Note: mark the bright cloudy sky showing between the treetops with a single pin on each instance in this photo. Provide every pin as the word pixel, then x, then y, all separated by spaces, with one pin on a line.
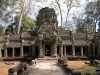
pixel 77 10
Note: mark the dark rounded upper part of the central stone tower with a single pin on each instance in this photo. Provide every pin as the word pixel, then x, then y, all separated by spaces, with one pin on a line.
pixel 46 15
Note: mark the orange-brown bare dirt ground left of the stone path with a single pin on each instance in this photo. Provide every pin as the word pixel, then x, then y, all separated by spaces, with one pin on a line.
pixel 4 66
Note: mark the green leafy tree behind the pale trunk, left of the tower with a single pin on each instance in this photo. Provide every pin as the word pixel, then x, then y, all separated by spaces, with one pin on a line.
pixel 27 25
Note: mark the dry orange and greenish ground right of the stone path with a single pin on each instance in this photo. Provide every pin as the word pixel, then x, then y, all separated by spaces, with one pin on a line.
pixel 81 66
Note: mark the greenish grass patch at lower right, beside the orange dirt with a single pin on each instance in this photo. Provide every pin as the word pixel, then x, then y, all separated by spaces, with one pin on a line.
pixel 88 69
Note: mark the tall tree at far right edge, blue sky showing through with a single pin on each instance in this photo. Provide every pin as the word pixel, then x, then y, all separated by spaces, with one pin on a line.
pixel 93 12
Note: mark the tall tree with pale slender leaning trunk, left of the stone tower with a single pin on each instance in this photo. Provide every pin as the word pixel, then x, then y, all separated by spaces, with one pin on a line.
pixel 25 6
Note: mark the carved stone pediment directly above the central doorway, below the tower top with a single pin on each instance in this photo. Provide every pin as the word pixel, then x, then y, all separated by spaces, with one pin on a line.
pixel 47 32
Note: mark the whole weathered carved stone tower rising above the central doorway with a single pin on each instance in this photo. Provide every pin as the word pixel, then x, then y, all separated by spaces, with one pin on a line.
pixel 47 25
